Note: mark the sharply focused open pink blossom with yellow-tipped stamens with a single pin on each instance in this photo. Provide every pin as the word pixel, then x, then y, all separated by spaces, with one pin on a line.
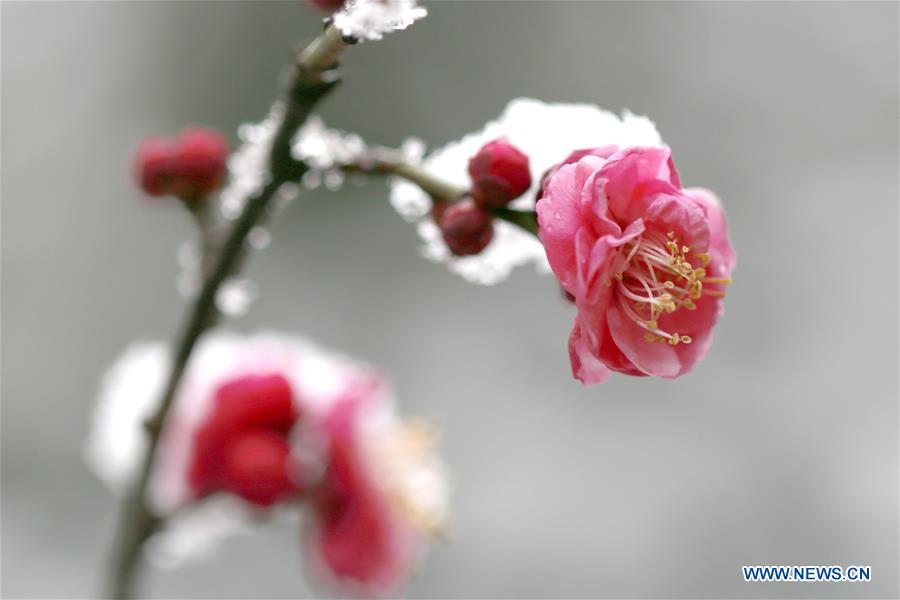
pixel 646 261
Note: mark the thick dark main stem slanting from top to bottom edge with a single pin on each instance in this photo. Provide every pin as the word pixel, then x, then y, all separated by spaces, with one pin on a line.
pixel 313 77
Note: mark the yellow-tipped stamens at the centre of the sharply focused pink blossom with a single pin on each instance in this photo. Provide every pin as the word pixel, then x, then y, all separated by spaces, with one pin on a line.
pixel 659 278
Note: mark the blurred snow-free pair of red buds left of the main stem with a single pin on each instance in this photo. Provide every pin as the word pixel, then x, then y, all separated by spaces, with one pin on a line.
pixel 189 167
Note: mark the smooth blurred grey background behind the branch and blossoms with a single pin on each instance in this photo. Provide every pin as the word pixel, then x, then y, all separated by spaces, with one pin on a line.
pixel 781 448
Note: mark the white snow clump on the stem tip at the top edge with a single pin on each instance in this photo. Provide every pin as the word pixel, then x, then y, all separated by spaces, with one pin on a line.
pixel 371 19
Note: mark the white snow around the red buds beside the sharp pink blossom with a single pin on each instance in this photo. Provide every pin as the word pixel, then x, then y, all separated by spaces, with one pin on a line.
pixel 547 133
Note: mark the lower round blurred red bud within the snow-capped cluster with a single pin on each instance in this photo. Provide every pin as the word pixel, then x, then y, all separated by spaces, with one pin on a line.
pixel 255 467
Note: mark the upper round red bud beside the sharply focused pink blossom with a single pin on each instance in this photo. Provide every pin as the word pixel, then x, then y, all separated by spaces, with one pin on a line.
pixel 499 174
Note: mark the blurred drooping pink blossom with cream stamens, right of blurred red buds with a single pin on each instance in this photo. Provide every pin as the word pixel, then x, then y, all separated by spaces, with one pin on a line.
pixel 376 498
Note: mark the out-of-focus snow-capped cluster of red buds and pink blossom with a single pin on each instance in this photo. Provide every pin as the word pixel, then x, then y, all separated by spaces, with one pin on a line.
pixel 274 425
